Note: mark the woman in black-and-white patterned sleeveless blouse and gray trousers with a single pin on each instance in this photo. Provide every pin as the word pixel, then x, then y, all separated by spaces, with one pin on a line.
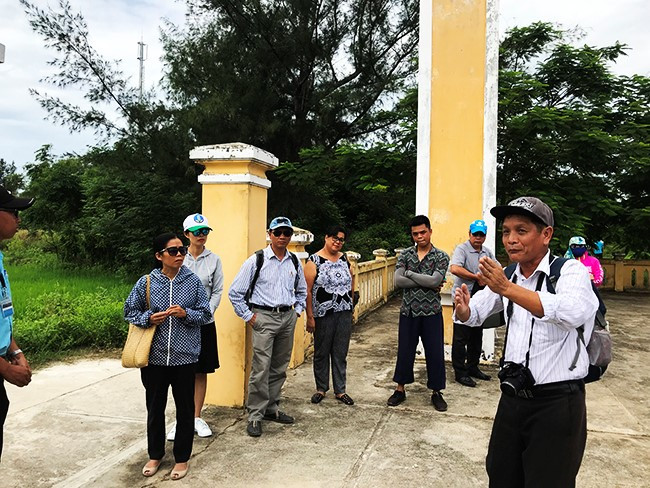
pixel 329 313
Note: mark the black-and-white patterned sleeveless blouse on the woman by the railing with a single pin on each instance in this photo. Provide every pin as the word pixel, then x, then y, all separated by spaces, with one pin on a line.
pixel 331 292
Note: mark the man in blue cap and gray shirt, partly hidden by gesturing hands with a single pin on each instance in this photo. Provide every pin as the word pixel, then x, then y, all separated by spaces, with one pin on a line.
pixel 467 342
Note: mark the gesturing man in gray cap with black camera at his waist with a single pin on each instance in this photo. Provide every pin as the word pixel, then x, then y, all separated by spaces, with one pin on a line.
pixel 540 428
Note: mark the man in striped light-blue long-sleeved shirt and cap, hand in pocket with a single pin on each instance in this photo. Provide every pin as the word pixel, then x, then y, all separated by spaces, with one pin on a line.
pixel 277 300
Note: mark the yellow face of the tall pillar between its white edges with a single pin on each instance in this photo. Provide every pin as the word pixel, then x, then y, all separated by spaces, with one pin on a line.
pixel 457 108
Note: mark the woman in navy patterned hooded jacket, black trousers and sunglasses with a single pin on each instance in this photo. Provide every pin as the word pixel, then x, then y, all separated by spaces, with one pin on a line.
pixel 178 307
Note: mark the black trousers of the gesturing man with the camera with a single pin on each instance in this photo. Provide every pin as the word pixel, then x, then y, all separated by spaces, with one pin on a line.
pixel 538 442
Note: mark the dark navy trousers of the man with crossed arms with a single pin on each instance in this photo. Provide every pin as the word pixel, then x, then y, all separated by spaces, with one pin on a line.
pixel 430 329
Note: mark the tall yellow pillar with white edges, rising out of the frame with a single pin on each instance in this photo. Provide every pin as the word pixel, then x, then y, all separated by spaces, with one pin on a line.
pixel 457 124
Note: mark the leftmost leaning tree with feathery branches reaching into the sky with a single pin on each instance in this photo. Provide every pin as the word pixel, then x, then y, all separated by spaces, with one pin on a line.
pixel 109 203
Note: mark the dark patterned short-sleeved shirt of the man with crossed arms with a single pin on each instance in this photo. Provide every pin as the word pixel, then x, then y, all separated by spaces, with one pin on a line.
pixel 420 301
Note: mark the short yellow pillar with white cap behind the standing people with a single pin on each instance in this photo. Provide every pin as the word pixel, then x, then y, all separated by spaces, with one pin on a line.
pixel 234 188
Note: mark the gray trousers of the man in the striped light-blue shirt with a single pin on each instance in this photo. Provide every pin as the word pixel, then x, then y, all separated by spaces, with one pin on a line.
pixel 272 345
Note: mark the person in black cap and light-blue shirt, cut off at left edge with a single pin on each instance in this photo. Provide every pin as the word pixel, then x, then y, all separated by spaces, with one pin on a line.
pixel 14 367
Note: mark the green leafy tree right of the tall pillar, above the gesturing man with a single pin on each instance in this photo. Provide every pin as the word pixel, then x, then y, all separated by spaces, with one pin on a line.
pixel 575 134
